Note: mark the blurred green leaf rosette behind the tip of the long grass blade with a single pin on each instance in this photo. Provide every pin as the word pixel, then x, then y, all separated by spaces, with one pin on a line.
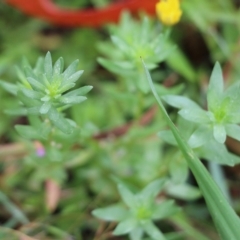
pixel 131 39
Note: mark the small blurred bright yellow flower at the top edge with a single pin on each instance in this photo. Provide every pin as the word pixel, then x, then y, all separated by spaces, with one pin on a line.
pixel 169 11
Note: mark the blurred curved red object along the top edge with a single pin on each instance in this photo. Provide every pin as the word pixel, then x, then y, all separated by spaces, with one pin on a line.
pixel 47 10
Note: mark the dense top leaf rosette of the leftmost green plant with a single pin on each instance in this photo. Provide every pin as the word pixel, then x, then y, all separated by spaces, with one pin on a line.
pixel 48 87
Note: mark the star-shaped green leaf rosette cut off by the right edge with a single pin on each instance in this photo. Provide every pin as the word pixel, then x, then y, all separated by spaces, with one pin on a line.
pixel 222 116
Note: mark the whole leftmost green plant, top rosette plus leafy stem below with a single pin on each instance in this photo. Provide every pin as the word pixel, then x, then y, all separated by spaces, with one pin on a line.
pixel 44 93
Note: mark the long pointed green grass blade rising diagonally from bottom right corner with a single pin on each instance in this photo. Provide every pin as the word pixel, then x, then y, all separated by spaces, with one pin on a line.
pixel 225 219
